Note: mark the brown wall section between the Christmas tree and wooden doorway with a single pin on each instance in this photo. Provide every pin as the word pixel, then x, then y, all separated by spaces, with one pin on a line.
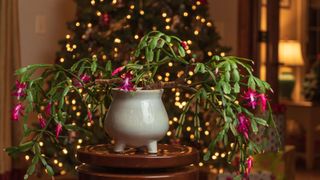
pixel 225 17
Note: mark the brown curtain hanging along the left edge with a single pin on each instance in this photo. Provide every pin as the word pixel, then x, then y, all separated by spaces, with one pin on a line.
pixel 9 61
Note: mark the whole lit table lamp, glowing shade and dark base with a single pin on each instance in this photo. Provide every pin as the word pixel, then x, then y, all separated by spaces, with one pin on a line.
pixel 290 56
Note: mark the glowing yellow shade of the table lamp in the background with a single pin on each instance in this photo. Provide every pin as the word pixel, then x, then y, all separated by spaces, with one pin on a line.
pixel 290 53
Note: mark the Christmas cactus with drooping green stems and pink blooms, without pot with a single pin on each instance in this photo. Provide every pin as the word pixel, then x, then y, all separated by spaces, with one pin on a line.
pixel 224 86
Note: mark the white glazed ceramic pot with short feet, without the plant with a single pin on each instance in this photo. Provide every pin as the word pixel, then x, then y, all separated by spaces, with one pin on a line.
pixel 137 118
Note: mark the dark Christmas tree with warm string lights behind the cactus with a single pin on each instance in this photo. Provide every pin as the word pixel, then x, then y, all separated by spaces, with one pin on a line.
pixel 107 31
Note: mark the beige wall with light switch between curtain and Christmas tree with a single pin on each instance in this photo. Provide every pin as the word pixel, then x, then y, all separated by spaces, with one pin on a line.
pixel 42 25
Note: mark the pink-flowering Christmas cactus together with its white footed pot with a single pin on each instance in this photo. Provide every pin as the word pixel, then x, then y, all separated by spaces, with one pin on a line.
pixel 224 85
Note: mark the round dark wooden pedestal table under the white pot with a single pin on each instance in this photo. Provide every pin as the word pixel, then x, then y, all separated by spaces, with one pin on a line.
pixel 172 162
